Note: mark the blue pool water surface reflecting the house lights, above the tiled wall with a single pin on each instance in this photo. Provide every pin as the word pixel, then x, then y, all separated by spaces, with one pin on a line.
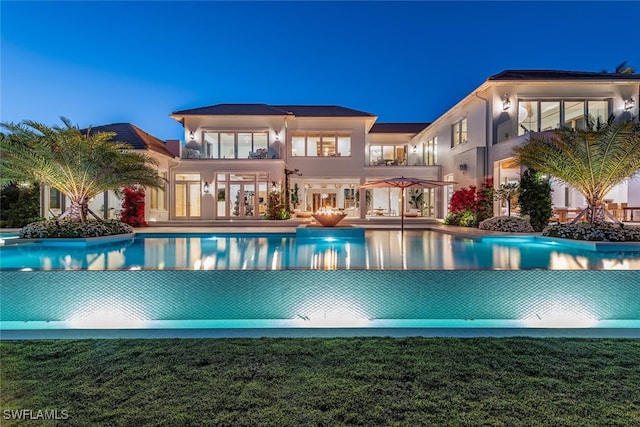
pixel 380 250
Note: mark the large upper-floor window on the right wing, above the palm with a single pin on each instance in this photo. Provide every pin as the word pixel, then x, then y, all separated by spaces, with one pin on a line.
pixel 537 115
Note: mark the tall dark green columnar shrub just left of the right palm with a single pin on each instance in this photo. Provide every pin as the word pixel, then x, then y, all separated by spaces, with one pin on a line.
pixel 534 199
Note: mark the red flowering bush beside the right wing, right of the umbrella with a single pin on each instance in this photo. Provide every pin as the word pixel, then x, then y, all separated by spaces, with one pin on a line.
pixel 470 206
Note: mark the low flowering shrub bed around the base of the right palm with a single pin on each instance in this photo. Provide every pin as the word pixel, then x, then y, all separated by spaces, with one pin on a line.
pixel 605 232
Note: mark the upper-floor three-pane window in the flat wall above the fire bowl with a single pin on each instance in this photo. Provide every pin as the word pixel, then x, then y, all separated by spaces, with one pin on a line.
pixel 320 144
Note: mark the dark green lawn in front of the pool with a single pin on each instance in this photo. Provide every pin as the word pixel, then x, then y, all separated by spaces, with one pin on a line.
pixel 332 382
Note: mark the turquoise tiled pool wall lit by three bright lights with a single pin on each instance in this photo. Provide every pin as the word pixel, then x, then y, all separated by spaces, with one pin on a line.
pixel 314 298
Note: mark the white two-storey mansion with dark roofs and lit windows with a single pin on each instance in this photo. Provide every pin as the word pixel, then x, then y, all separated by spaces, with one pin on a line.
pixel 234 155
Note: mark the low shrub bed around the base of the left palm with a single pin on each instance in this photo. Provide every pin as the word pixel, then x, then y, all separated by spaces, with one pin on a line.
pixel 72 229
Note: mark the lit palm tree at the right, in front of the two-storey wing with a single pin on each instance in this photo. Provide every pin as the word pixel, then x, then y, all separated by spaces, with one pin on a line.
pixel 592 161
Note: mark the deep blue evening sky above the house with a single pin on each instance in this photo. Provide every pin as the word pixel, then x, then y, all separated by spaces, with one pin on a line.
pixel 105 62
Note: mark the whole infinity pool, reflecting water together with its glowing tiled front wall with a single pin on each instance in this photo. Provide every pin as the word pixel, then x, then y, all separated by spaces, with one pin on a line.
pixel 330 292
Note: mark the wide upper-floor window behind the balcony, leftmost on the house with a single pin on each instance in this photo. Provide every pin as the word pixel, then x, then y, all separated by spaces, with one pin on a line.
pixel 235 145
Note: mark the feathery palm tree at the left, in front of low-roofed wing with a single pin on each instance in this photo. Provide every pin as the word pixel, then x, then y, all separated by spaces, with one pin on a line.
pixel 78 164
